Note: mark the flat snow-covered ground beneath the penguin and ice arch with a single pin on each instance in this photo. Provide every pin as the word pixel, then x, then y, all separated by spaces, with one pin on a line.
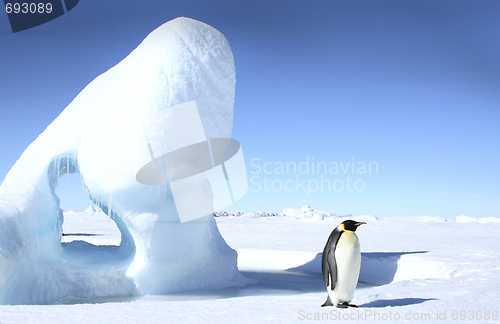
pixel 419 269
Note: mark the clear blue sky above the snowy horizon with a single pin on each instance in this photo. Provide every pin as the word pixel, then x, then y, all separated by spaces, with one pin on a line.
pixel 412 86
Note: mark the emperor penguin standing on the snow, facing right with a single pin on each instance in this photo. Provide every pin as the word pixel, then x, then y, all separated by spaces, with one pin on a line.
pixel 341 263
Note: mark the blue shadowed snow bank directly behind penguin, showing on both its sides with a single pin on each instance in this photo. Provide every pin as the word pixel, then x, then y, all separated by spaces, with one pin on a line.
pixel 377 268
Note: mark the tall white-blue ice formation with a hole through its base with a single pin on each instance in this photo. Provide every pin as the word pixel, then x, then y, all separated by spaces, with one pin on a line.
pixel 100 135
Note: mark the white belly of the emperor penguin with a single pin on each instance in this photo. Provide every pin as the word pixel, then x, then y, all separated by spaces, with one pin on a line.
pixel 348 259
